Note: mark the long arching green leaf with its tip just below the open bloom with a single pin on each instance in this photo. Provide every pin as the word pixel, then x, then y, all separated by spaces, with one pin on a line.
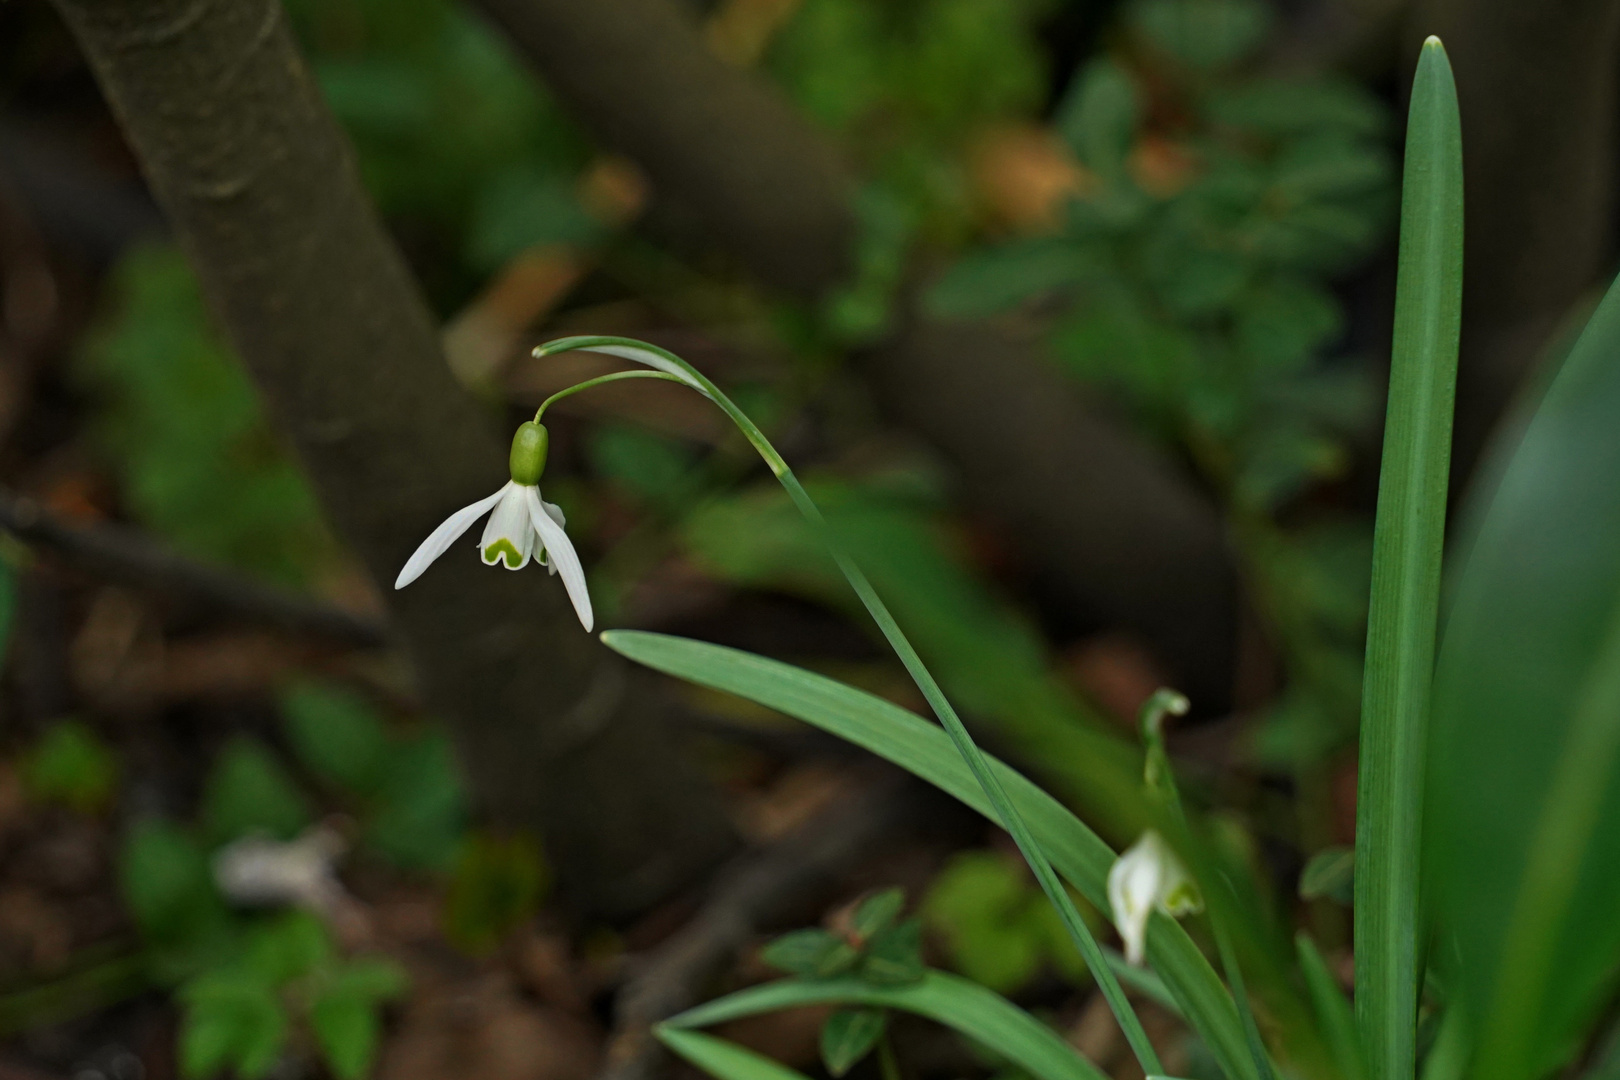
pixel 927 752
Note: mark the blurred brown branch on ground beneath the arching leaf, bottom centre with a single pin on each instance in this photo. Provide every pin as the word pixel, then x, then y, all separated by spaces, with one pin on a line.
pixel 759 890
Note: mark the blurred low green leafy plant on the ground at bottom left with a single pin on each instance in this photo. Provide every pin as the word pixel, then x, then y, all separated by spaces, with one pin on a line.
pixel 254 985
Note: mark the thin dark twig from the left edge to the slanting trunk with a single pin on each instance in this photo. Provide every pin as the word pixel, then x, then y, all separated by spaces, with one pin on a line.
pixel 130 558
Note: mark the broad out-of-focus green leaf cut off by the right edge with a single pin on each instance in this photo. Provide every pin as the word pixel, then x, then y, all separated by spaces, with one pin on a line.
pixel 1524 843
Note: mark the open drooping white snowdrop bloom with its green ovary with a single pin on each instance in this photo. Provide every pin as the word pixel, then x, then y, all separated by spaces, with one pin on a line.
pixel 521 527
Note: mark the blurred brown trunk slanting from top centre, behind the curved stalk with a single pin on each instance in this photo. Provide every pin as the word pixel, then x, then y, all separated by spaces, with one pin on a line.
pixel 1109 524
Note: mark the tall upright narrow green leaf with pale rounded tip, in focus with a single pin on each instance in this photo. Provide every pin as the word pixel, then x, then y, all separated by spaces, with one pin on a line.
pixel 1407 572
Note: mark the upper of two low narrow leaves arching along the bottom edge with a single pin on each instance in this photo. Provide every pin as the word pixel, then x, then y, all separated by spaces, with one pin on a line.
pixel 957 1003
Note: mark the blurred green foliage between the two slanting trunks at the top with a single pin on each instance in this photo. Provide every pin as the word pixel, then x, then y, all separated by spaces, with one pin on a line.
pixel 451 134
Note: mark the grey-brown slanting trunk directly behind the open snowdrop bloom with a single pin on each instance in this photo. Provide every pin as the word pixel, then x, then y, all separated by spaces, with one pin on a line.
pixel 262 189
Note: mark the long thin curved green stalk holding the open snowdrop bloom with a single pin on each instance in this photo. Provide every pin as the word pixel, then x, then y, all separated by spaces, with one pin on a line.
pixel 670 367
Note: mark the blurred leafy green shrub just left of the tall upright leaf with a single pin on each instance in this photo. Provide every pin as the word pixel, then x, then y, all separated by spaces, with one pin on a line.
pixel 1193 276
